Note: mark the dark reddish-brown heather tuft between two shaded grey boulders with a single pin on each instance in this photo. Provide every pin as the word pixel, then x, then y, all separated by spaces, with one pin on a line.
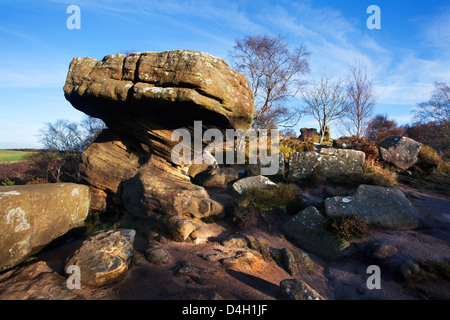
pixel 346 227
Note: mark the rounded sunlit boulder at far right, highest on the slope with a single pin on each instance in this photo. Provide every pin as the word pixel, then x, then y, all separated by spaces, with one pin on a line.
pixel 400 151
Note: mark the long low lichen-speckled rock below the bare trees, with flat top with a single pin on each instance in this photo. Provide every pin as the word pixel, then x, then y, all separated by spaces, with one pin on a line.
pixel 330 161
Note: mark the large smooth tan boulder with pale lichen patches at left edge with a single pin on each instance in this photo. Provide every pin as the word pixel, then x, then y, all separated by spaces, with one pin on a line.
pixel 32 216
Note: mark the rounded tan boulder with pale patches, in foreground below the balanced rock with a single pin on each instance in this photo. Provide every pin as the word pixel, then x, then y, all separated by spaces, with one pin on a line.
pixel 104 257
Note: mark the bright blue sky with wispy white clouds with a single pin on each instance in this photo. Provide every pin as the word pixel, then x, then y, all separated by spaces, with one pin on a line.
pixel 405 57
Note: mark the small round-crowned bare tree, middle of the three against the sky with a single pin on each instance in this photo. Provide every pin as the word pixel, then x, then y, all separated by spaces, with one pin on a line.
pixel 327 101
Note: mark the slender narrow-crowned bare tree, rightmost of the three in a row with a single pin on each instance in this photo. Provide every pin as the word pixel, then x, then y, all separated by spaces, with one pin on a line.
pixel 362 98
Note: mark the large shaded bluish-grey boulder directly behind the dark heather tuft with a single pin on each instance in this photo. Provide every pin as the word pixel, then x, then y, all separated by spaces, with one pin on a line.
pixel 386 208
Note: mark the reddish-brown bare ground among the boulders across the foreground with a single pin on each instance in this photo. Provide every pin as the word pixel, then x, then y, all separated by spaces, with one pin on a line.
pixel 342 279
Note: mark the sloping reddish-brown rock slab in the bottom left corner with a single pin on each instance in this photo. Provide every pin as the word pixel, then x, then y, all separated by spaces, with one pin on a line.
pixel 34 281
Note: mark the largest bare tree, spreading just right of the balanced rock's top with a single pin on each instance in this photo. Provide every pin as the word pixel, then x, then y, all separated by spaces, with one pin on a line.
pixel 273 70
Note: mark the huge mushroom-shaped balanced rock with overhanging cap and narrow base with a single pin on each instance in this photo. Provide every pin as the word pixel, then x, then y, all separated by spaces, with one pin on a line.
pixel 143 98
